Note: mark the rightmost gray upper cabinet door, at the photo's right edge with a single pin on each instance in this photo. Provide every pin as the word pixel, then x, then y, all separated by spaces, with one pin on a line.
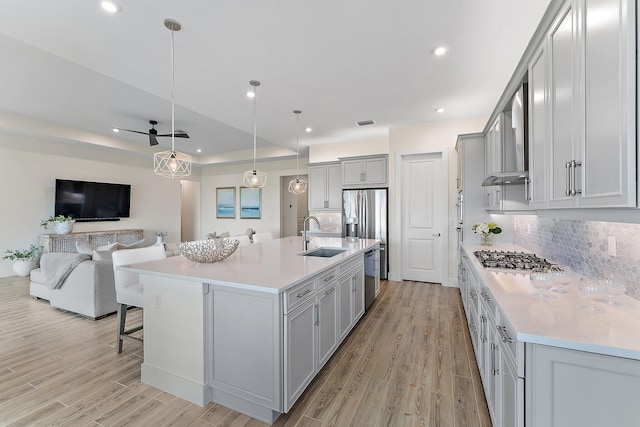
pixel 608 146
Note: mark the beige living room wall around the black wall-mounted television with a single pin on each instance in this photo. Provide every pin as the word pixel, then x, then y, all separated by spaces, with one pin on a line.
pixel 27 186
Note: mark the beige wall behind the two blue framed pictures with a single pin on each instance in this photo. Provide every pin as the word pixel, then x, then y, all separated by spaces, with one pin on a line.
pixel 231 176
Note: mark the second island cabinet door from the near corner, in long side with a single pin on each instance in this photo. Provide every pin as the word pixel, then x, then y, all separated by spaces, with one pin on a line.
pixel 327 323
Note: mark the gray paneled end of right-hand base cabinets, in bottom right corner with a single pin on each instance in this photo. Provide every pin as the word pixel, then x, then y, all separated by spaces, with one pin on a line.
pixel 576 388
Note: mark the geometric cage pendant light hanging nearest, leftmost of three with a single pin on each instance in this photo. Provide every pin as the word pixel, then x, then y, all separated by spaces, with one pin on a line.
pixel 172 164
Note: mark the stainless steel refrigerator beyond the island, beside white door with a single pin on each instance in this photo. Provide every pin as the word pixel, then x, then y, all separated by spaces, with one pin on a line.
pixel 366 213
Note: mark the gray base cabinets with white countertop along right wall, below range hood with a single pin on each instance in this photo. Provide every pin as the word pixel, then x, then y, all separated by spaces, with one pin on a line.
pixel 553 361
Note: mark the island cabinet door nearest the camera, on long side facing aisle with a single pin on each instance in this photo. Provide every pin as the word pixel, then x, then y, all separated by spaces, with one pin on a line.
pixel 300 355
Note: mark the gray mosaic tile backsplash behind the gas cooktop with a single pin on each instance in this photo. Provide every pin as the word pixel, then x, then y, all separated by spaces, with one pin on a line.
pixel 583 245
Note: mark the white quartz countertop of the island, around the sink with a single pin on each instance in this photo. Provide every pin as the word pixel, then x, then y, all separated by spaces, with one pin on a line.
pixel 270 266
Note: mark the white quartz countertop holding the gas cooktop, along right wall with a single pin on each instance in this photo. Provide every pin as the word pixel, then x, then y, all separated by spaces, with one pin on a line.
pixel 561 321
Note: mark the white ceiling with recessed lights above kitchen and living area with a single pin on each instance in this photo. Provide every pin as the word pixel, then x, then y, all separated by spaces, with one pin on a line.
pixel 73 71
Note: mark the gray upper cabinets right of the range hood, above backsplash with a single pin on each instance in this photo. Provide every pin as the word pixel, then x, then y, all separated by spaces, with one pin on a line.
pixel 582 108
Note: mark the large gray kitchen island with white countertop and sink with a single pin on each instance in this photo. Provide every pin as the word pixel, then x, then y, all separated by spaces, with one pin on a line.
pixel 252 331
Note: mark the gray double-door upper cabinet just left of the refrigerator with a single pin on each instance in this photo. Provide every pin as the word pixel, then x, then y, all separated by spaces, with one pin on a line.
pixel 325 187
